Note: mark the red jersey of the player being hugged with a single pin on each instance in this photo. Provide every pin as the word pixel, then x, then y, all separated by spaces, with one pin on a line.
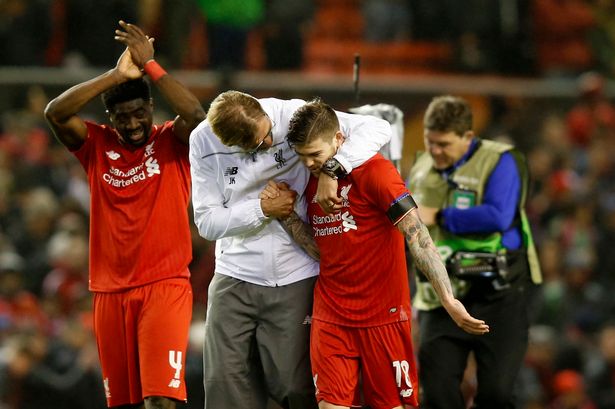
pixel 363 278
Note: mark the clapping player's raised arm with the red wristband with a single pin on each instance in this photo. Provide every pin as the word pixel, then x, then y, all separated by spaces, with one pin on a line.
pixel 184 103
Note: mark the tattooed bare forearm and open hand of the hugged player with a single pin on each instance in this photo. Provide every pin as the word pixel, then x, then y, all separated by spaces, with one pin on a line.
pixel 427 259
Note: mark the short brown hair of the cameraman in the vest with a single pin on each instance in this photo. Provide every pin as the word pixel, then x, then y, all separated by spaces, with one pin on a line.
pixel 447 113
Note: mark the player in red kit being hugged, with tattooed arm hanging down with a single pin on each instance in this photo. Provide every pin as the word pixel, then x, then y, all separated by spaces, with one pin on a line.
pixel 361 319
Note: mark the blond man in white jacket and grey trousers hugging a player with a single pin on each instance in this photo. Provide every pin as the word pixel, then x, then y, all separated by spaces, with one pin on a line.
pixel 260 299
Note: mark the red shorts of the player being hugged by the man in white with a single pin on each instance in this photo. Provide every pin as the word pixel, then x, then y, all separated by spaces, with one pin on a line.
pixel 381 355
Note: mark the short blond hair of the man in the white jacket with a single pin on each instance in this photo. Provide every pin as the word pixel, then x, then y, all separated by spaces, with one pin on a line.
pixel 234 116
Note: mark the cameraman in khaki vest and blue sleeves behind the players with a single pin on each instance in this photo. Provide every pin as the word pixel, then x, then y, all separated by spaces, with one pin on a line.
pixel 471 194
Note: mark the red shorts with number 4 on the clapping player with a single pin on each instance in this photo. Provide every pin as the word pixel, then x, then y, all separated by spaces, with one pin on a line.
pixel 142 336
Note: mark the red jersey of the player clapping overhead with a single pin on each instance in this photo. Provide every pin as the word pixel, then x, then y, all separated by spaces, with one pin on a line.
pixel 139 228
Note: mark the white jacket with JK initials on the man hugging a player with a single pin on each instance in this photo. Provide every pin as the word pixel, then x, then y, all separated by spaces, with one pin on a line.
pixel 226 182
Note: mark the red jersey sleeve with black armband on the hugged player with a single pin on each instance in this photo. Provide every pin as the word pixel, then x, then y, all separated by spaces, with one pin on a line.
pixel 387 190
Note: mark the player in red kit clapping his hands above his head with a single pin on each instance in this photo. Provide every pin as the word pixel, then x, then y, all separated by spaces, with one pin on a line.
pixel 140 243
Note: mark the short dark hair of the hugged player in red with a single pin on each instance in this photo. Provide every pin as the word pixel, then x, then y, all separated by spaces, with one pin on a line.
pixel 312 120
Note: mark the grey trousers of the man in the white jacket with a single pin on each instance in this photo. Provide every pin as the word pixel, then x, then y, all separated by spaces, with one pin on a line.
pixel 257 345
